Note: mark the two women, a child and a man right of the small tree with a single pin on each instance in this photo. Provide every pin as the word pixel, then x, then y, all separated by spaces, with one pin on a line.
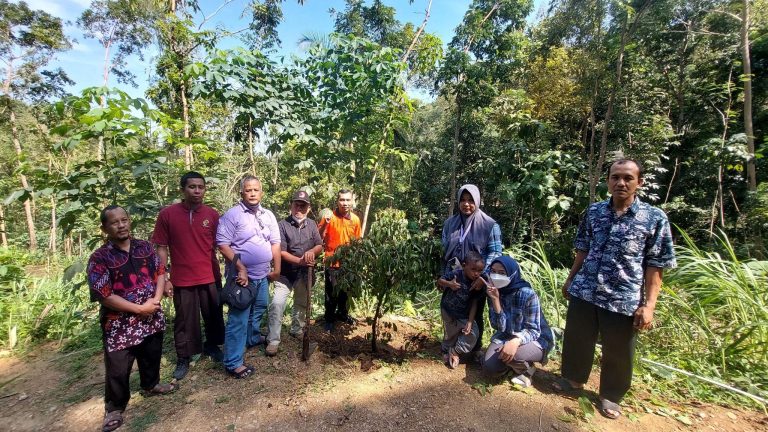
pixel 622 247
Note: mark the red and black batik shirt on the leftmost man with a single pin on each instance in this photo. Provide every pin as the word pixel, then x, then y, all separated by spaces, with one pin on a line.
pixel 133 276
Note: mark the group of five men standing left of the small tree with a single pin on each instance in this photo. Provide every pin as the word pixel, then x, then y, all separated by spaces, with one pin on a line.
pixel 129 277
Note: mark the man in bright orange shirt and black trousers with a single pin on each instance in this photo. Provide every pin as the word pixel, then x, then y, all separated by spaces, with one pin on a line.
pixel 338 229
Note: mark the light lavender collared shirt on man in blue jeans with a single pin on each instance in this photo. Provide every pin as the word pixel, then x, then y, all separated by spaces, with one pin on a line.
pixel 251 233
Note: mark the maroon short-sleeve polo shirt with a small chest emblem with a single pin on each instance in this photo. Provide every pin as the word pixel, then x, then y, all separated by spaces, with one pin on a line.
pixel 190 235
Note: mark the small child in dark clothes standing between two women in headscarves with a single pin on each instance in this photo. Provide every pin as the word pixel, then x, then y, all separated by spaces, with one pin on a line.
pixel 458 307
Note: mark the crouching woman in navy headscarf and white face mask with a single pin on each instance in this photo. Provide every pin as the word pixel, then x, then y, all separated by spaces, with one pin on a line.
pixel 522 333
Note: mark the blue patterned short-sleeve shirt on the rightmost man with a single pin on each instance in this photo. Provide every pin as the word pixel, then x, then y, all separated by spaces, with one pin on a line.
pixel 619 249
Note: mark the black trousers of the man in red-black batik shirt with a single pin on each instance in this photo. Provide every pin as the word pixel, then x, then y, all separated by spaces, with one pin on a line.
pixel 118 365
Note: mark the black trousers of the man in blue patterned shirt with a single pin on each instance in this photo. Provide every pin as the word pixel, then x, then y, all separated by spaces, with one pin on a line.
pixel 584 322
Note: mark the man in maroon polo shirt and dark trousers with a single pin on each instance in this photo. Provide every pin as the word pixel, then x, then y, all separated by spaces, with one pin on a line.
pixel 187 230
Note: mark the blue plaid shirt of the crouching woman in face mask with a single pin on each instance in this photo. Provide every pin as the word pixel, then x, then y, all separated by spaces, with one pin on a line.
pixel 521 317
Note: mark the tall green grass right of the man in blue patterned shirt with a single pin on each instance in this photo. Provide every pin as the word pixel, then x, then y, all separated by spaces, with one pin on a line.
pixel 713 316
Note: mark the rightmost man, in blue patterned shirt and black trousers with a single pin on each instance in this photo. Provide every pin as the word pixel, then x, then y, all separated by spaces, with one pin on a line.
pixel 622 247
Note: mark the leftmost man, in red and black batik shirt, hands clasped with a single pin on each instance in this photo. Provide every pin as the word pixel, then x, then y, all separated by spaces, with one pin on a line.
pixel 127 278
